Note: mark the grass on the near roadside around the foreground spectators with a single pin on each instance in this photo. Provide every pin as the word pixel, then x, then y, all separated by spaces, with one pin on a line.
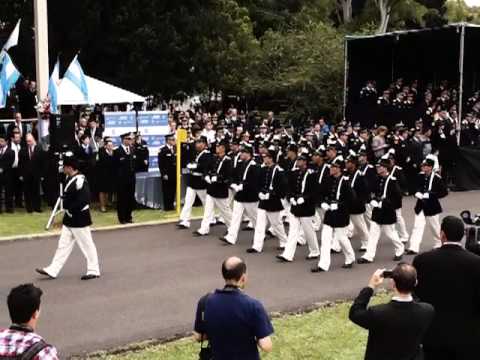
pixel 324 334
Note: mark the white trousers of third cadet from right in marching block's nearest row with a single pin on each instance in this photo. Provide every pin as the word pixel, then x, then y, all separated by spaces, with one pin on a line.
pixel 328 236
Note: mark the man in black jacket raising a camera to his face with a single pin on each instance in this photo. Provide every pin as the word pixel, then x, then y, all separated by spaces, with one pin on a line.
pixel 396 329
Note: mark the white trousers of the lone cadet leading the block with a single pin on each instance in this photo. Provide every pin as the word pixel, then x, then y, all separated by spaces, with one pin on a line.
pixel 68 237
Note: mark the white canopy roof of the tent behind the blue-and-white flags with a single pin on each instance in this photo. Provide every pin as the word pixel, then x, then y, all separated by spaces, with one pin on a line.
pixel 99 92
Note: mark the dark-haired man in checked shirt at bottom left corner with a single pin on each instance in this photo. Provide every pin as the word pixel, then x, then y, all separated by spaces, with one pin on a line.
pixel 20 341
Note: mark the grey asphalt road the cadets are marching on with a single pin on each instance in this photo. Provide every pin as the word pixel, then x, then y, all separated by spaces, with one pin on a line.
pixel 153 277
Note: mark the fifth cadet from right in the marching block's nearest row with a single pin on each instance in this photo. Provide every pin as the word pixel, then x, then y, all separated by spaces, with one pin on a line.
pixel 273 188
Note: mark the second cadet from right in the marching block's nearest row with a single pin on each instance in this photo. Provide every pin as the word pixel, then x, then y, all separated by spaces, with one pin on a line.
pixel 387 197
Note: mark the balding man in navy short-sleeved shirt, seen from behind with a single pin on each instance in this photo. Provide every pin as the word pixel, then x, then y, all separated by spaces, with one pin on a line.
pixel 234 324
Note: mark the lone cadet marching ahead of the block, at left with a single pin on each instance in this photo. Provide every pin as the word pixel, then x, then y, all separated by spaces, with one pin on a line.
pixel 76 224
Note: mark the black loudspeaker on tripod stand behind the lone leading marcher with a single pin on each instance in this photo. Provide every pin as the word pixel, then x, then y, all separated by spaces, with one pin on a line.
pixel 62 132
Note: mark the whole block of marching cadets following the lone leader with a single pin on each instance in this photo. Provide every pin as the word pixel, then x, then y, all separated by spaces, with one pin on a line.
pixel 327 190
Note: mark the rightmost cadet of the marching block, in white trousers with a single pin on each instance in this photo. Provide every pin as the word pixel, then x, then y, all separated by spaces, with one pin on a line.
pixel 430 188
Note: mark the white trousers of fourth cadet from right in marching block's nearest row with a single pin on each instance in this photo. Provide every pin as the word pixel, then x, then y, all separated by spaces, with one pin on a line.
pixel 297 224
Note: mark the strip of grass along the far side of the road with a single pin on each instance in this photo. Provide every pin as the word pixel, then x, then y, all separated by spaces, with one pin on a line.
pixel 22 223
